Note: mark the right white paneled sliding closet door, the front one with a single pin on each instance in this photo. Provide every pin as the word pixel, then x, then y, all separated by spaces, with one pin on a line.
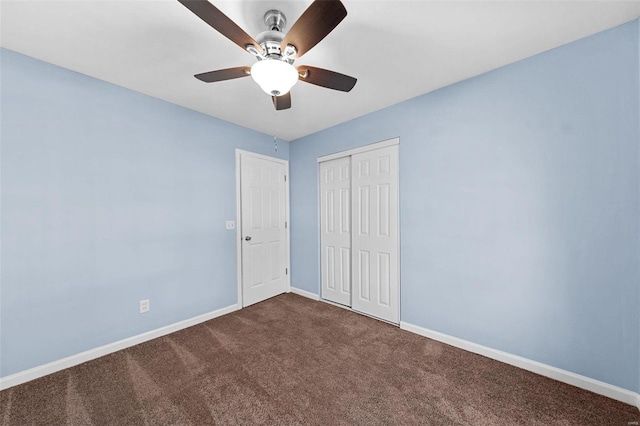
pixel 374 241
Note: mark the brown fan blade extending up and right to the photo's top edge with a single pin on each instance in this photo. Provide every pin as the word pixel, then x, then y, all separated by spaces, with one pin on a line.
pixel 315 24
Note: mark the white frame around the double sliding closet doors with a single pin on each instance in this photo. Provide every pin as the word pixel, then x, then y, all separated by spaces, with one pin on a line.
pixel 350 152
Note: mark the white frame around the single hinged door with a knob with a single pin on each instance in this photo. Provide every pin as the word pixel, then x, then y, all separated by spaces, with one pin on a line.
pixel 239 154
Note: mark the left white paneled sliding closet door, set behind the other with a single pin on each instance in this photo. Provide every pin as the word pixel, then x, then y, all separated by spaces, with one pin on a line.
pixel 335 232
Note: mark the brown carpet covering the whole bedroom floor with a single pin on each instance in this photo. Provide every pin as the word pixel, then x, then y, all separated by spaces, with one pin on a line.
pixel 290 360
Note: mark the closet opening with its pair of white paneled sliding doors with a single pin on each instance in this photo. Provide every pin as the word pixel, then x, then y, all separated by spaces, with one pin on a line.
pixel 359 230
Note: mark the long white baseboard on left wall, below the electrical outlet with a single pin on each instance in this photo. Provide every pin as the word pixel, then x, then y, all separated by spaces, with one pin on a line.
pixel 49 368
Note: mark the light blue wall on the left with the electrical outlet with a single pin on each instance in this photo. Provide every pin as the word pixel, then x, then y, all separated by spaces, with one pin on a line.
pixel 108 197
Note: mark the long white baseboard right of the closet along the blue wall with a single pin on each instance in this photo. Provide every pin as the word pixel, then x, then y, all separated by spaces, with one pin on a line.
pixel 558 374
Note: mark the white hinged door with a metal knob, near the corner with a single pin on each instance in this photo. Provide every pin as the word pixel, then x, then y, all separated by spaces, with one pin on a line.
pixel 263 228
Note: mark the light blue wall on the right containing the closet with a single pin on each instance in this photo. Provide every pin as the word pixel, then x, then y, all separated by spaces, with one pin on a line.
pixel 519 206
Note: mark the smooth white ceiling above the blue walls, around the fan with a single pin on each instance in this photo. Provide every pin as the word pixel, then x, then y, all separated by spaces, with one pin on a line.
pixel 396 49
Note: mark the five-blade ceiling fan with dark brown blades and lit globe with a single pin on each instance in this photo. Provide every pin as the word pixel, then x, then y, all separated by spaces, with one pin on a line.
pixel 276 51
